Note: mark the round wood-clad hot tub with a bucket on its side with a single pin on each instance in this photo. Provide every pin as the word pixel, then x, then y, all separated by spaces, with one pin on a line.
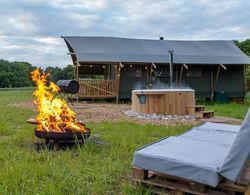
pixel 163 101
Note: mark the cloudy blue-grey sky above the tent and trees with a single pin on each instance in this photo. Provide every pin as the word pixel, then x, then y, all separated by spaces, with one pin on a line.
pixel 31 30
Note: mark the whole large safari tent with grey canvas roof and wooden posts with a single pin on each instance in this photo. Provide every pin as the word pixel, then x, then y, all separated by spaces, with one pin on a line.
pixel 111 67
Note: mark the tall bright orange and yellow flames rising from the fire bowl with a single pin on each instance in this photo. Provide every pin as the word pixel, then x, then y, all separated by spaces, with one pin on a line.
pixel 54 113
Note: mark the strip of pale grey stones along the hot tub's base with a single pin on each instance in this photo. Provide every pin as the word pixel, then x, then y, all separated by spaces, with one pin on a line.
pixel 161 116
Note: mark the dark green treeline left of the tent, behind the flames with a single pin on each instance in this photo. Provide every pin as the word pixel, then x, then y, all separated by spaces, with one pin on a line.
pixel 18 74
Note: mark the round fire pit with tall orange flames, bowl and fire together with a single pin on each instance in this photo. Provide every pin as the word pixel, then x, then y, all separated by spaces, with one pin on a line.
pixel 56 122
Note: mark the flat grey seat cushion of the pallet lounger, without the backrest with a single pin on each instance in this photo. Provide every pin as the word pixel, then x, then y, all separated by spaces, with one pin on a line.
pixel 196 155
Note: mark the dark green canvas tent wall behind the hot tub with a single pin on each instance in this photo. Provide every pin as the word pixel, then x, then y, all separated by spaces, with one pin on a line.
pixel 230 81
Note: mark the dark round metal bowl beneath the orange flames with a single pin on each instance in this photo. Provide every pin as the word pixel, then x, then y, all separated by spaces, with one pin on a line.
pixel 63 136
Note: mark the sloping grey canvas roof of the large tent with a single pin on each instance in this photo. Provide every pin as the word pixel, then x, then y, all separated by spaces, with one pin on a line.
pixel 112 49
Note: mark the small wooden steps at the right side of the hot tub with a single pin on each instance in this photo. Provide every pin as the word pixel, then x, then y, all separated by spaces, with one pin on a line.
pixel 199 111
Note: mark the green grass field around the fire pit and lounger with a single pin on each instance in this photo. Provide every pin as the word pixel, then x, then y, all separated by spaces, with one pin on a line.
pixel 92 169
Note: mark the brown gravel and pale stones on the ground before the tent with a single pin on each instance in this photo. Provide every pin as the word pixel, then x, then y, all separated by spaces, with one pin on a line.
pixel 97 112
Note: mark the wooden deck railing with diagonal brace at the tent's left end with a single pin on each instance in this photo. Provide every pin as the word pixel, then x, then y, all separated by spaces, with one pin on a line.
pixel 98 88
